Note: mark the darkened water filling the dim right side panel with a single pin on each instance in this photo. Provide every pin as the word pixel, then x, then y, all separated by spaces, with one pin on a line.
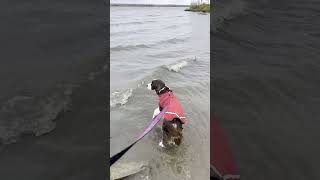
pixel 266 85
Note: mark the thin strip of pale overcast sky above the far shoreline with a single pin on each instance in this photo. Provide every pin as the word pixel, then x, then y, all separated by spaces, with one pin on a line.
pixel 185 2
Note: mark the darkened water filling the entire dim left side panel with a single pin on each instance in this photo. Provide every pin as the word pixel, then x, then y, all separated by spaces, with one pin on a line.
pixel 53 84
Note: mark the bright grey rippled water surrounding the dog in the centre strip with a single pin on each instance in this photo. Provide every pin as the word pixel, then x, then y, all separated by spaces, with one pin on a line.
pixel 173 45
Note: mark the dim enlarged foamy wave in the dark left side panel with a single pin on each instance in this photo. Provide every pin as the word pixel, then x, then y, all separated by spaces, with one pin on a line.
pixel 32 115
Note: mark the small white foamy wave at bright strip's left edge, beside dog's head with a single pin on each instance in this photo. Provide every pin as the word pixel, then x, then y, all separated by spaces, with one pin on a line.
pixel 120 97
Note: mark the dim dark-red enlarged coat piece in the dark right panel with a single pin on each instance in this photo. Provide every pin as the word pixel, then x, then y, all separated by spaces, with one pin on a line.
pixel 221 157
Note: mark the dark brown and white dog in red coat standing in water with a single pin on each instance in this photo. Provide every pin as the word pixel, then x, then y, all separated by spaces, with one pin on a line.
pixel 174 117
